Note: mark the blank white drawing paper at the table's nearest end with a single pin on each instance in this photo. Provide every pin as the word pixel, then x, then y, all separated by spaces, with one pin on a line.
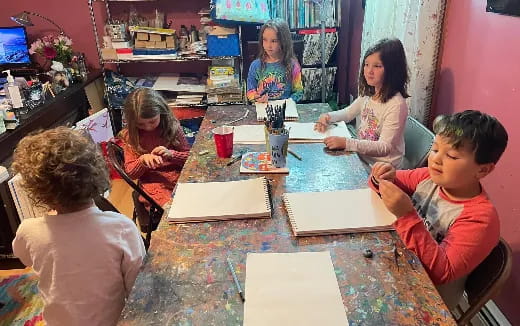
pixel 292 289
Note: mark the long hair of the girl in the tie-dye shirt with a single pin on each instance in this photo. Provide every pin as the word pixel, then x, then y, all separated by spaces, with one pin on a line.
pixel 284 38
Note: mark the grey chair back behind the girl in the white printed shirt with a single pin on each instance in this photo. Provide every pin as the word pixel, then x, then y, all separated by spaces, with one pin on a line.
pixel 418 141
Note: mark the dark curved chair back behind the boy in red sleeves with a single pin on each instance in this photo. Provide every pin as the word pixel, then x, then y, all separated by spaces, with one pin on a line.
pixel 486 281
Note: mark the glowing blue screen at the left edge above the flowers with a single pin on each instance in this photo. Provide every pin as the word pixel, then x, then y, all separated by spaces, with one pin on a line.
pixel 13 46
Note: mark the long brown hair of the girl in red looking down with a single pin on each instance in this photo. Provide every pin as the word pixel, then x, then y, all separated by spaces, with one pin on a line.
pixel 146 103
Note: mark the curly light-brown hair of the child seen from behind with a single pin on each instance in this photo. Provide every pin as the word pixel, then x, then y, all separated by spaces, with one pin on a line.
pixel 61 168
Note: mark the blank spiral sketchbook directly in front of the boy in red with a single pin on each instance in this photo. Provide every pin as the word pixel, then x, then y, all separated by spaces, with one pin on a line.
pixel 336 212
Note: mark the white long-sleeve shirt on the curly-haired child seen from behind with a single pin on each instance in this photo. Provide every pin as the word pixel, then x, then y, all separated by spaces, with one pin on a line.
pixel 87 262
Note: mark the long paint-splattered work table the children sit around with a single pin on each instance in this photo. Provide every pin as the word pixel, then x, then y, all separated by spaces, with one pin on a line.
pixel 186 281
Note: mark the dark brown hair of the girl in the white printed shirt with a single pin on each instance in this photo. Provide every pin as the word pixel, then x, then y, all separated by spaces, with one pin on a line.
pixel 395 78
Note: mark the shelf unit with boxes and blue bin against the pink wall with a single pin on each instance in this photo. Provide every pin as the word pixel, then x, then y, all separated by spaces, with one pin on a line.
pixel 126 37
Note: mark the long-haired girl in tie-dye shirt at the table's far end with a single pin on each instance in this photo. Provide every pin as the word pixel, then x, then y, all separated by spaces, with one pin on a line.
pixel 276 74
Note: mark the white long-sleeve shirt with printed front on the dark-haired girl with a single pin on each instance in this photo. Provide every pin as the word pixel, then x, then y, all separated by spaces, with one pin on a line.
pixel 380 128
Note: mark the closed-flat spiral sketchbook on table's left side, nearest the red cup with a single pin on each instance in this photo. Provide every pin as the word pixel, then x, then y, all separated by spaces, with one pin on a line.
pixel 214 201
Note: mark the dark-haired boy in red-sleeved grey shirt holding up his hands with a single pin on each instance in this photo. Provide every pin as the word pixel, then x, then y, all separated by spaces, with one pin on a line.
pixel 449 221
